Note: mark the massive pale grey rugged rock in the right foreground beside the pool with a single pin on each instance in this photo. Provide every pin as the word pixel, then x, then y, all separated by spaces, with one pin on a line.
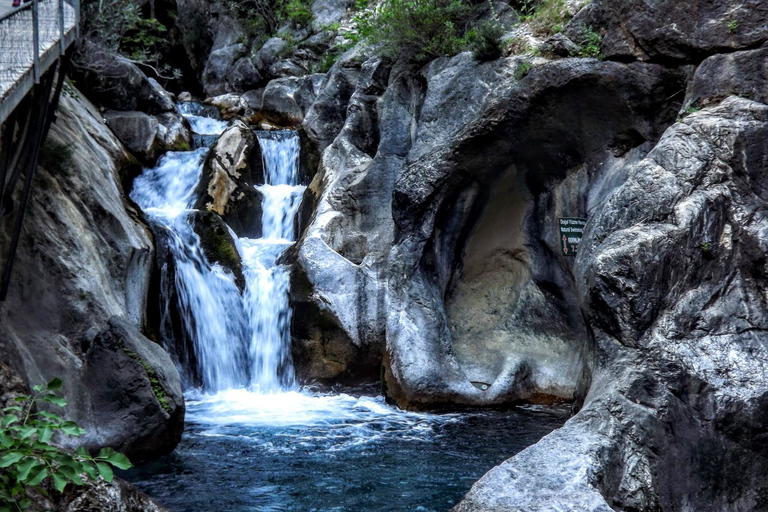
pixel 671 277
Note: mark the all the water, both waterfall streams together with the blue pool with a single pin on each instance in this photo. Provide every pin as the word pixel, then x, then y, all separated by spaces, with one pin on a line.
pixel 255 440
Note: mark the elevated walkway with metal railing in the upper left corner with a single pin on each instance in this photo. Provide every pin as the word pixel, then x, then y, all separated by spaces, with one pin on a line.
pixel 32 37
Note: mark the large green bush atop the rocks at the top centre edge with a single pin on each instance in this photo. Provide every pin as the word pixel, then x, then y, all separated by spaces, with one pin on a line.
pixel 418 29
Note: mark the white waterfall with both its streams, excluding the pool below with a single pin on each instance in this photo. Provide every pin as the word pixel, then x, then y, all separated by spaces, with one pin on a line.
pixel 233 340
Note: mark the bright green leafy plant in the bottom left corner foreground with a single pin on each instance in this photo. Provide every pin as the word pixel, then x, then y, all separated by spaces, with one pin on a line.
pixel 28 460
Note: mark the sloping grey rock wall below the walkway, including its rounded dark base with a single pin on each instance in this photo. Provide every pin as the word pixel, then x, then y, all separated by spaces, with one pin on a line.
pixel 78 293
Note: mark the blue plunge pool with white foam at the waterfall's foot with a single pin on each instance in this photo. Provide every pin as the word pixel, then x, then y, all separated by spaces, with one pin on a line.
pixel 342 452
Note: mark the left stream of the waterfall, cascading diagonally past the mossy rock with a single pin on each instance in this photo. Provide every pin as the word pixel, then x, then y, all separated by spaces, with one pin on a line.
pixel 209 301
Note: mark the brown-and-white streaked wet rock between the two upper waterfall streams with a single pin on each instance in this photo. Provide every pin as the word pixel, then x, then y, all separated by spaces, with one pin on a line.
pixel 231 170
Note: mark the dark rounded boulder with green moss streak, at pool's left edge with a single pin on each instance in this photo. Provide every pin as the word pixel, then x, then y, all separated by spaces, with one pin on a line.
pixel 136 394
